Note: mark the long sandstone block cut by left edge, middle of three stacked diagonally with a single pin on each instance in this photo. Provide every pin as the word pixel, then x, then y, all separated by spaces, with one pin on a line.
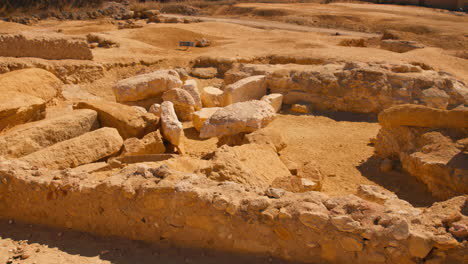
pixel 31 137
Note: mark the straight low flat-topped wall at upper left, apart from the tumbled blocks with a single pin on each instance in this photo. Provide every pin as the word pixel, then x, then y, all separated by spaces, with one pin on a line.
pixel 51 47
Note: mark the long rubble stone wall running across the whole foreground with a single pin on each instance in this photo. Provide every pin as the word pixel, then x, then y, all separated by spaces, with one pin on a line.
pixel 190 210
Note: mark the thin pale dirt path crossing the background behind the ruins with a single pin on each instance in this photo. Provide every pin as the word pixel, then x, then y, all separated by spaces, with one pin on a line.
pixel 264 24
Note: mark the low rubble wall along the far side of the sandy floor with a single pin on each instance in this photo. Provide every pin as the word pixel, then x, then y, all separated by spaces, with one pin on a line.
pixel 357 87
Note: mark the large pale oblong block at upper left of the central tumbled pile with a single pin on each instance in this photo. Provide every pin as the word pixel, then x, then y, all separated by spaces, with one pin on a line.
pixel 146 85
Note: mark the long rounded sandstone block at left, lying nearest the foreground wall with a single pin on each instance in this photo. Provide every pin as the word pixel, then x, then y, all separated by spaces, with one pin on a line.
pixel 89 147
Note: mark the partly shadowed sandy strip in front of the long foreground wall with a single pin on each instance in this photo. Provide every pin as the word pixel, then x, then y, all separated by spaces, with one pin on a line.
pixel 28 244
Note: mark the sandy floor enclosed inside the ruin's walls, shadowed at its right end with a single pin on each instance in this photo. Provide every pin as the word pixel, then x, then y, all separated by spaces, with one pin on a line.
pixel 340 144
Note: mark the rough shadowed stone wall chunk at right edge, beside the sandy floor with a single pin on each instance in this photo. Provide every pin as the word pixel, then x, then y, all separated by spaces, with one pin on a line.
pixel 431 145
